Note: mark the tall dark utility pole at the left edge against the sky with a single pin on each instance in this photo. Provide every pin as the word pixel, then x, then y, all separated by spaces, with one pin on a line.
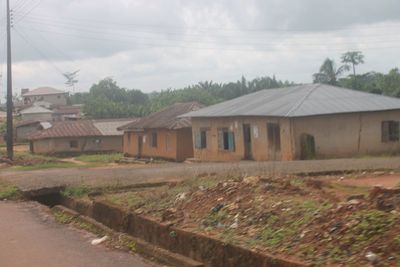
pixel 10 137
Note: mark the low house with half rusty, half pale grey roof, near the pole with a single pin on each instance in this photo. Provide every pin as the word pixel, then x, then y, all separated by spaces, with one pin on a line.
pixel 79 136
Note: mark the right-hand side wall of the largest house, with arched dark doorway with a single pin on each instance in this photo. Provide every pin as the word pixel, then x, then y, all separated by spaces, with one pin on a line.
pixel 346 135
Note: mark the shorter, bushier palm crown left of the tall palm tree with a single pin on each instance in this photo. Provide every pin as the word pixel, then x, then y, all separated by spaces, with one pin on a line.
pixel 328 73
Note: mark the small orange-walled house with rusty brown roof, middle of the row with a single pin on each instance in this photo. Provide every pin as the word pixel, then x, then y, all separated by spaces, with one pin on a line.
pixel 161 134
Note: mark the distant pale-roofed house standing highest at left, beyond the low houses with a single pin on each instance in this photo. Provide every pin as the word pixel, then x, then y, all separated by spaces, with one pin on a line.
pixel 45 94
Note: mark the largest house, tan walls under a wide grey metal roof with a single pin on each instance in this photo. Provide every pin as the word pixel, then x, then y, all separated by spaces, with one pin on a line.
pixel 298 122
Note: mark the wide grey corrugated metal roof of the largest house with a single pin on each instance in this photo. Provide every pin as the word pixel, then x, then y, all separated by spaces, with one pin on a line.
pixel 299 101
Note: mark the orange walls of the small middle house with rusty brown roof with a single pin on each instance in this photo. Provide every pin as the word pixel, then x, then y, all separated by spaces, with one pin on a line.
pixel 167 145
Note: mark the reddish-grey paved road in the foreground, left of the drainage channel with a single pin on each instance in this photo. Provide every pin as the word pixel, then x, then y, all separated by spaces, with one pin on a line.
pixel 30 237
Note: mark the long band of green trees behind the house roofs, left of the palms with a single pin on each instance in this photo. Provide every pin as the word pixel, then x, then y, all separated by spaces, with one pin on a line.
pixel 107 100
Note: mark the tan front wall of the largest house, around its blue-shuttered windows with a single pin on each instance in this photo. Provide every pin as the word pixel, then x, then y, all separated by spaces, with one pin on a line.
pixel 259 138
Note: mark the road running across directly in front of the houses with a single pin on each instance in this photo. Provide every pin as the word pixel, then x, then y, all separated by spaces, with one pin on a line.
pixel 134 174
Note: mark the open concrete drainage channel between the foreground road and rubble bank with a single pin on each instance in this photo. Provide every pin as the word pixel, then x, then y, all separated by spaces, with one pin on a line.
pixel 163 242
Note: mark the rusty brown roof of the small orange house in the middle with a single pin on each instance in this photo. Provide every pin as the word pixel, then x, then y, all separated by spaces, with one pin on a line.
pixel 167 118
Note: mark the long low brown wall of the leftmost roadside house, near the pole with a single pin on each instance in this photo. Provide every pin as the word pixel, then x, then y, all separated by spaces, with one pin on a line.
pixel 85 144
